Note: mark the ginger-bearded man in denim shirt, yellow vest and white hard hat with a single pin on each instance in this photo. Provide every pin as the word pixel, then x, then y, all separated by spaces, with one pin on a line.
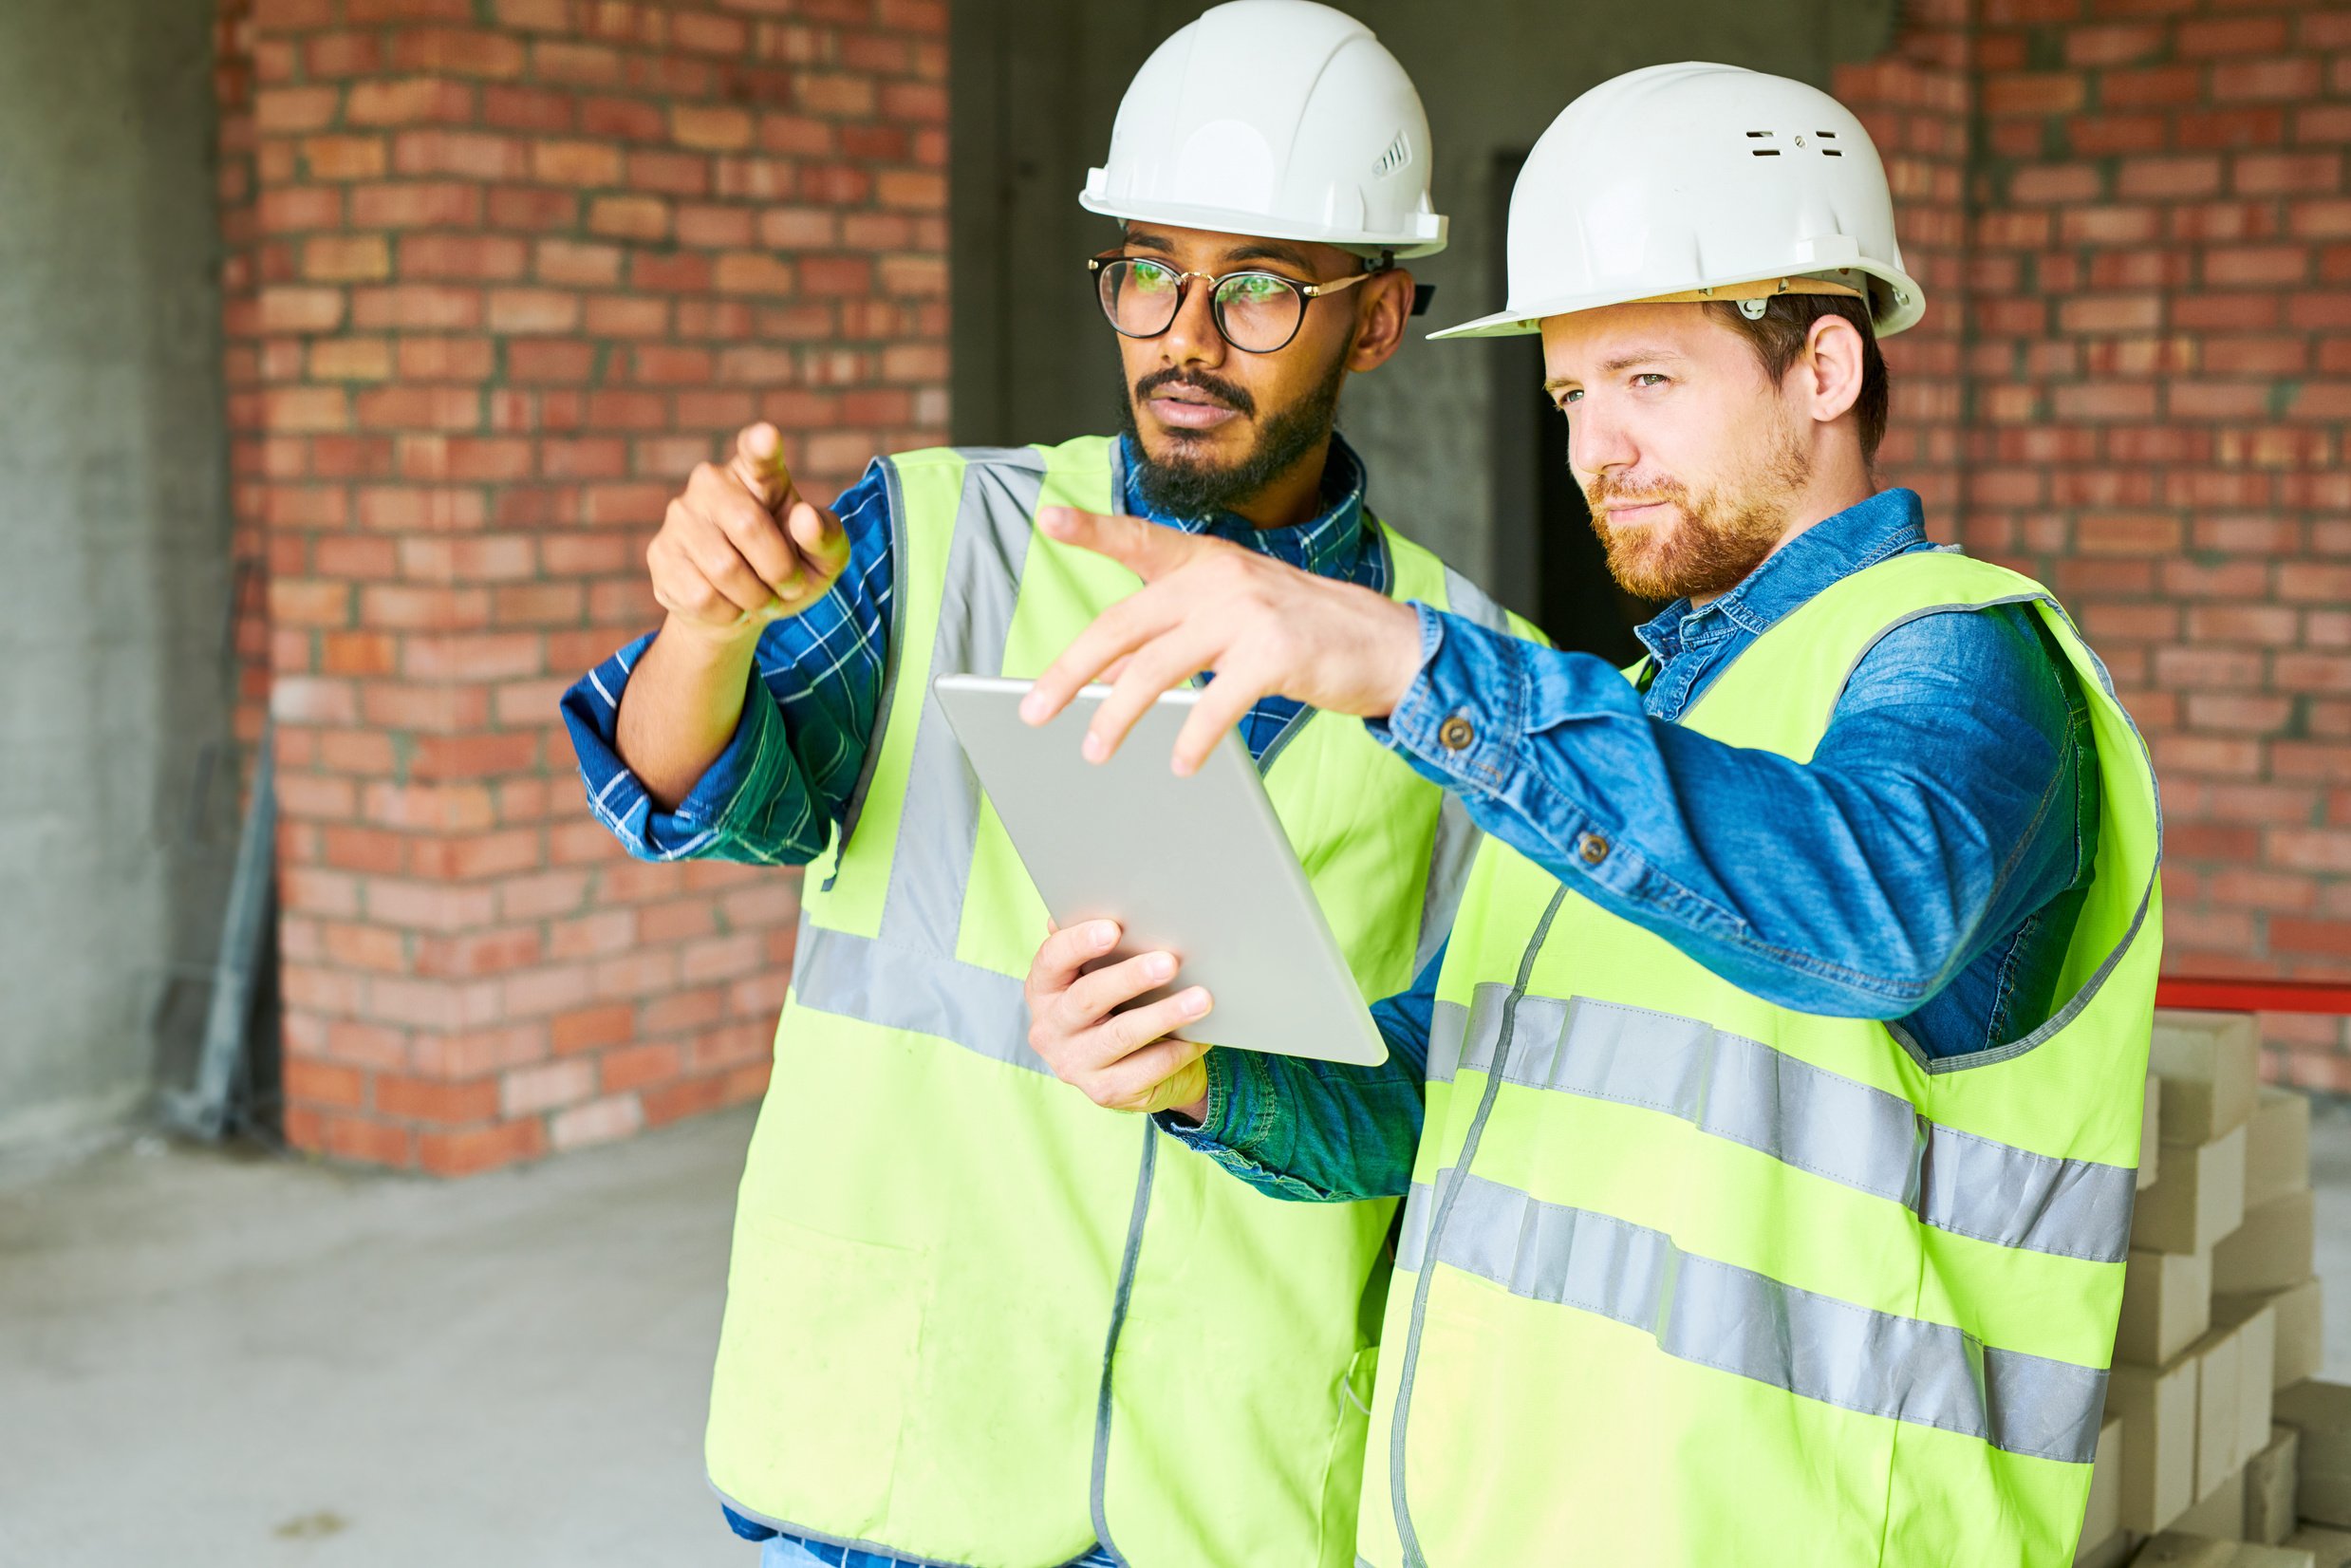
pixel 1786 1064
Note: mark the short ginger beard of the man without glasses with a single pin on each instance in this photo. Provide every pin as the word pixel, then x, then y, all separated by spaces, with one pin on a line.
pixel 1722 535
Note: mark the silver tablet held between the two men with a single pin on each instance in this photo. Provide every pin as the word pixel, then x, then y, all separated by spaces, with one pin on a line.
pixel 1191 866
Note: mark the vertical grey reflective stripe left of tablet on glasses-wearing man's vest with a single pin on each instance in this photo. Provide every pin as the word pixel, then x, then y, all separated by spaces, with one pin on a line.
pixel 939 824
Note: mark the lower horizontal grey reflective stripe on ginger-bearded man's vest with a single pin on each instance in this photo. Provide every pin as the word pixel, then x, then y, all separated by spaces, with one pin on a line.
pixel 1757 1327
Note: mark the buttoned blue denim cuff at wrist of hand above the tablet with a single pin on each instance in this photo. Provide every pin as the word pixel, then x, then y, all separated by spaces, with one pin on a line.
pixel 1466 711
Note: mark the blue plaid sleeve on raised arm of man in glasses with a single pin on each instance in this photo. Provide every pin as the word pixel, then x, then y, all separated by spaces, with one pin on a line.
pixel 810 711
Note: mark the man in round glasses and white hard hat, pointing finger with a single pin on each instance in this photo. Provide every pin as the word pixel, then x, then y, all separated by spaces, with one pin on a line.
pixel 960 1299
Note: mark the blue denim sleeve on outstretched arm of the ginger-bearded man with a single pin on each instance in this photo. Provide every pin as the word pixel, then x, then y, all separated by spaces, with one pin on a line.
pixel 1856 885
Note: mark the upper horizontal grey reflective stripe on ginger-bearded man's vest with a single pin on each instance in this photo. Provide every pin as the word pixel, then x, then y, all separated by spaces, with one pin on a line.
pixel 1802 1115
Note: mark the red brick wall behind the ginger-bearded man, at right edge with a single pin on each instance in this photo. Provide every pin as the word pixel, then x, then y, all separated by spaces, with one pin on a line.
pixel 2157 396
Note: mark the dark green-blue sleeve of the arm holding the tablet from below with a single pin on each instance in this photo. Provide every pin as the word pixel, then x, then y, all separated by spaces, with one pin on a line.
pixel 1322 1132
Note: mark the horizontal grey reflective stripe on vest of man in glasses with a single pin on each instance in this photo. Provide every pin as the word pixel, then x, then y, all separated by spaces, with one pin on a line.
pixel 897 989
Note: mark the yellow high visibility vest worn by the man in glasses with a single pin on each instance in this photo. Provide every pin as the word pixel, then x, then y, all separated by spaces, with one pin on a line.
pixel 972 1318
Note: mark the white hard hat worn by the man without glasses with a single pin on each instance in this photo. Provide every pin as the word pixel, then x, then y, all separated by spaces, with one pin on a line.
pixel 1701 182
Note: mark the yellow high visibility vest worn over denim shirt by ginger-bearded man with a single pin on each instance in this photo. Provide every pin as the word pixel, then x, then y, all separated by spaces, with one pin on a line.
pixel 1689 1278
